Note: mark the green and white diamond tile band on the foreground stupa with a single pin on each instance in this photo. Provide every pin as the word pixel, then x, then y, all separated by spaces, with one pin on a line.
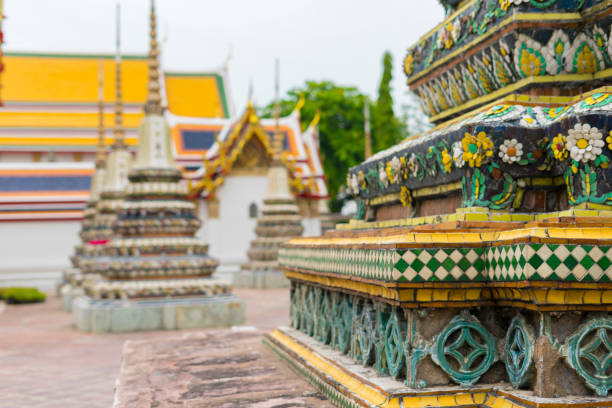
pixel 556 262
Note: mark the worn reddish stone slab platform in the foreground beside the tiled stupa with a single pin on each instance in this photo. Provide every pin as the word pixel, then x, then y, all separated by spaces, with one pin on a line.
pixel 225 369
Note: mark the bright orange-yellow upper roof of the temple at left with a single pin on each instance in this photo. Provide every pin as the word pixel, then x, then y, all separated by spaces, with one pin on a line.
pixel 71 79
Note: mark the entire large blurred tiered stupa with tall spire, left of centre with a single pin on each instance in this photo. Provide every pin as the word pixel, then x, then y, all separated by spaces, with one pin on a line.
pixel 154 261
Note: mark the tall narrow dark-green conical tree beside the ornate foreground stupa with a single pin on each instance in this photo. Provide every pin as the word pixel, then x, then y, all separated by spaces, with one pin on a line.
pixel 387 129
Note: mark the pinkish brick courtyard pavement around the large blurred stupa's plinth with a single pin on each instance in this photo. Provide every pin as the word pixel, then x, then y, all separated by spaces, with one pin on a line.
pixel 45 363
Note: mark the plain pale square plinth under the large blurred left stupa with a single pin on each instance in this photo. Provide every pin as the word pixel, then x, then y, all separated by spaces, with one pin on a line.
pixel 114 316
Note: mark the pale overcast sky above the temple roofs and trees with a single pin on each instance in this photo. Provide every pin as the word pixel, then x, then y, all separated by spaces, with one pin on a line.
pixel 338 40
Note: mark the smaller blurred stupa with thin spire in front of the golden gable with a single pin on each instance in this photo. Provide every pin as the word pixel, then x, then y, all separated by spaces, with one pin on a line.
pixel 278 223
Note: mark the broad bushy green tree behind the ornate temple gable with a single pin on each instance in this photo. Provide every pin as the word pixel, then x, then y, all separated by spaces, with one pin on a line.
pixel 340 127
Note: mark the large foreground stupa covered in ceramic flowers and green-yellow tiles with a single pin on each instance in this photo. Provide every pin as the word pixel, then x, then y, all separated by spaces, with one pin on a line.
pixel 478 270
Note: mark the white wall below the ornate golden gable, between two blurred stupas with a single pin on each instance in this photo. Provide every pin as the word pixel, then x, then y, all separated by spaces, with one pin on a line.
pixel 231 233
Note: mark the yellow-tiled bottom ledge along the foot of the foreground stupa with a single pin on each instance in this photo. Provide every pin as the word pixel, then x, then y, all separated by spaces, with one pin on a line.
pixel 350 384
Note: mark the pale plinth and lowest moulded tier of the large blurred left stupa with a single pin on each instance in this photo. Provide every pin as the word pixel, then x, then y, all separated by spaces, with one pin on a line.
pixel 164 304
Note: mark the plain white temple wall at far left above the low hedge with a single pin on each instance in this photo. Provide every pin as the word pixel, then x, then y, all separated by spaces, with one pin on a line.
pixel 36 253
